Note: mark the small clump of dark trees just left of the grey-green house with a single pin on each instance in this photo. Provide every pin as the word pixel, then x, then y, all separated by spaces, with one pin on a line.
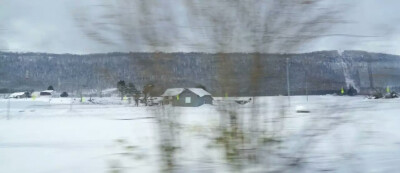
pixel 130 90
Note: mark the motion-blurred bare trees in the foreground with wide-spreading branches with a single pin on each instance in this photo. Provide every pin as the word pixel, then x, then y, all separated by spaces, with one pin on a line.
pixel 218 27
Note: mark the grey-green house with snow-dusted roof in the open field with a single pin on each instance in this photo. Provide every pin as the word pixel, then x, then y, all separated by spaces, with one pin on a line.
pixel 186 97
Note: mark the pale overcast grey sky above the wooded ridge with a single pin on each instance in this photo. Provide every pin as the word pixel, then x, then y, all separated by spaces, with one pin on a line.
pixel 76 26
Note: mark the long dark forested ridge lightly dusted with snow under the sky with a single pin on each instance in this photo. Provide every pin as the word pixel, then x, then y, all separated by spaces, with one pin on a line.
pixel 235 74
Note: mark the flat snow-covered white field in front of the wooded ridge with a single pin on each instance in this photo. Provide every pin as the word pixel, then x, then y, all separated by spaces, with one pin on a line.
pixel 340 134
